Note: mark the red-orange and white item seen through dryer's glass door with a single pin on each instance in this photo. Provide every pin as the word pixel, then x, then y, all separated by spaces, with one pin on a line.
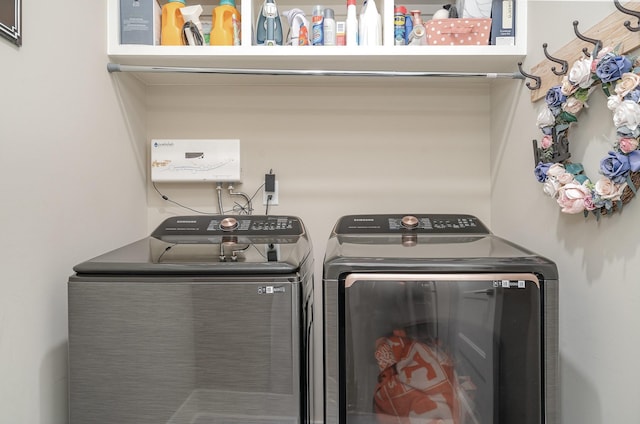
pixel 415 381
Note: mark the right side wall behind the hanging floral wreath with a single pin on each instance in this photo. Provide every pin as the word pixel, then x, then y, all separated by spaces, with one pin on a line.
pixel 599 284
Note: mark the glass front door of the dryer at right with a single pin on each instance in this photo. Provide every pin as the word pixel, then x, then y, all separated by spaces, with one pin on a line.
pixel 457 348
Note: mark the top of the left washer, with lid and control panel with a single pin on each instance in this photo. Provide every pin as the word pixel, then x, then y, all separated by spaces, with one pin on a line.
pixel 210 245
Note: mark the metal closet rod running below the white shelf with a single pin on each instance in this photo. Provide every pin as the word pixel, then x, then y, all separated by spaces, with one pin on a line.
pixel 116 67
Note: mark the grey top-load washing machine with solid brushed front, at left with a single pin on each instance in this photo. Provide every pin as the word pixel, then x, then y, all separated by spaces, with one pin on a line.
pixel 206 321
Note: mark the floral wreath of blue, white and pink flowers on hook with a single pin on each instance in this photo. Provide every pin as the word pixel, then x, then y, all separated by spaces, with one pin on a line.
pixel 619 78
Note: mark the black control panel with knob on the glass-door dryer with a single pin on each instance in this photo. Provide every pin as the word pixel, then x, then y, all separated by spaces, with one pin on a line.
pixel 419 224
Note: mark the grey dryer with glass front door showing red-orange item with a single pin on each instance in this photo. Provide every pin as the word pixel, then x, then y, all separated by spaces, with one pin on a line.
pixel 433 319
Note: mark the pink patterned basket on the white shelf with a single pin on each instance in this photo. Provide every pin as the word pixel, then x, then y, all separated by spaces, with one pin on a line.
pixel 458 32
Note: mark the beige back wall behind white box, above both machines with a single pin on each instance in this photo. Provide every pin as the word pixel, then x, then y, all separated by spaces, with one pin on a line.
pixel 383 146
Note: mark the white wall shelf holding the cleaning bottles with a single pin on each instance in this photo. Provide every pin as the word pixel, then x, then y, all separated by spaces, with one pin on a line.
pixel 380 58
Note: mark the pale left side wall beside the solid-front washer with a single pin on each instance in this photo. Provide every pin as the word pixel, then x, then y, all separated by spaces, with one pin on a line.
pixel 71 188
